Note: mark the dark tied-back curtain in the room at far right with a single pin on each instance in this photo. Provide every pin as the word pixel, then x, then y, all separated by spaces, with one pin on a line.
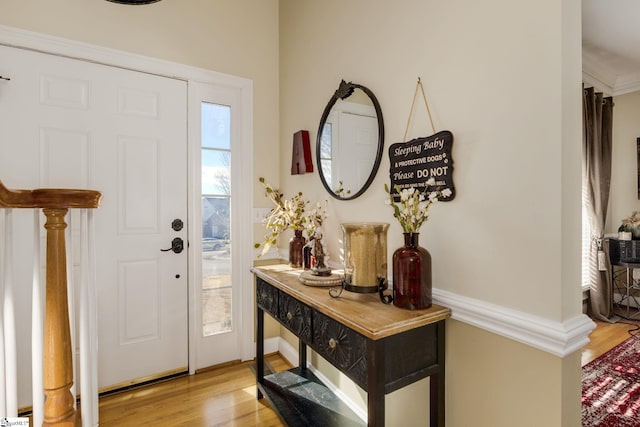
pixel 596 169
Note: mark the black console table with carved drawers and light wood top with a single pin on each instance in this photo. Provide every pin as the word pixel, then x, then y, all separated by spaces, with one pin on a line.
pixel 380 347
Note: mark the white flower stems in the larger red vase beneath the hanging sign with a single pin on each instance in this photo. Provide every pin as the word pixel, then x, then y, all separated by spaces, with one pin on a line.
pixel 413 208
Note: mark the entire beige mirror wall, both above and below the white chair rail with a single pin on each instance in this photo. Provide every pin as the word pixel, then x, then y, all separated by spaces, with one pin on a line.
pixel 504 77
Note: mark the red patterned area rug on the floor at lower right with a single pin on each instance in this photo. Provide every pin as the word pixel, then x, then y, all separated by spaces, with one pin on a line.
pixel 611 387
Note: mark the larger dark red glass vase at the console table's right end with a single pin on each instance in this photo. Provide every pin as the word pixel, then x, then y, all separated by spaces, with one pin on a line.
pixel 412 275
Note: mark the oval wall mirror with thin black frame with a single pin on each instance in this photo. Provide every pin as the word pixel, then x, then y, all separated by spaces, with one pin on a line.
pixel 350 141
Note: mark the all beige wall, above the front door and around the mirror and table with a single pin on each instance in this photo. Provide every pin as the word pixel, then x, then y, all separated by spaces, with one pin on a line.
pixel 498 74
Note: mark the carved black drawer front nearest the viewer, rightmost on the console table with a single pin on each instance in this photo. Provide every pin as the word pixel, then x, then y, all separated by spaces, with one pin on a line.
pixel 344 348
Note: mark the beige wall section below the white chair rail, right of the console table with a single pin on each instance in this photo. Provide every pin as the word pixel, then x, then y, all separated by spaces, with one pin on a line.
pixel 493 381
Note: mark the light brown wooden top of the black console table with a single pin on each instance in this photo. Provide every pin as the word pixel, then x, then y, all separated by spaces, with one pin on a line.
pixel 364 313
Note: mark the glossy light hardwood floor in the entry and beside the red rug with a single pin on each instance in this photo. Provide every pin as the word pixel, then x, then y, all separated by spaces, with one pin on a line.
pixel 226 396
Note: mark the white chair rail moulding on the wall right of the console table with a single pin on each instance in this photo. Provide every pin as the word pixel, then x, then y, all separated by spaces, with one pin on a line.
pixel 557 338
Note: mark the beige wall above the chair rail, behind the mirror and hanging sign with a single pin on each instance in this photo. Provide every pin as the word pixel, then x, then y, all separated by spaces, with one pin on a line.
pixel 501 101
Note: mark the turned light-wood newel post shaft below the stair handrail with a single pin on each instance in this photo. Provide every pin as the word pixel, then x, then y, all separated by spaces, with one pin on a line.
pixel 58 366
